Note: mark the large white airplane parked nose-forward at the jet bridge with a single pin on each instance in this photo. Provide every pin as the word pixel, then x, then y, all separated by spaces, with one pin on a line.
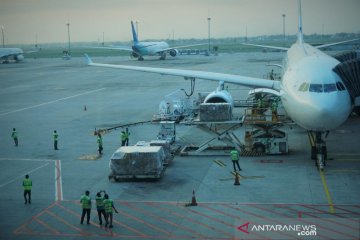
pixel 316 90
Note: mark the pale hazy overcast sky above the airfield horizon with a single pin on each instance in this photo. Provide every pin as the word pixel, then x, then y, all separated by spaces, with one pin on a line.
pixel 24 21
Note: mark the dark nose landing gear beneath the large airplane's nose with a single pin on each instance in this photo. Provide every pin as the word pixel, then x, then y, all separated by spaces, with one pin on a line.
pixel 318 148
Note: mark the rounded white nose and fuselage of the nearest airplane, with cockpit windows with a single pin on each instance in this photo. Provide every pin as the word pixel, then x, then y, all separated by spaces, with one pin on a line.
pixel 312 94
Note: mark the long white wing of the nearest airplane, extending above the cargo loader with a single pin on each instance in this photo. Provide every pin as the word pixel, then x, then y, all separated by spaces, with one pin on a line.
pixel 188 74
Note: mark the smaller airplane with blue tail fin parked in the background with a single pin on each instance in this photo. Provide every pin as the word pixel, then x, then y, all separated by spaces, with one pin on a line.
pixel 141 49
